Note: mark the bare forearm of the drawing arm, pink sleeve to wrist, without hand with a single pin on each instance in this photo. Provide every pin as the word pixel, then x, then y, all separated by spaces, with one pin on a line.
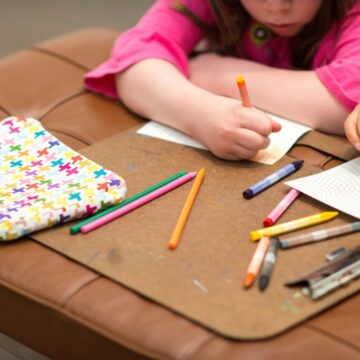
pixel 155 89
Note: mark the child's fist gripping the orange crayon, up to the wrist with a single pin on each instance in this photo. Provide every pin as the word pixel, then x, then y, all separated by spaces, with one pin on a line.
pixel 231 131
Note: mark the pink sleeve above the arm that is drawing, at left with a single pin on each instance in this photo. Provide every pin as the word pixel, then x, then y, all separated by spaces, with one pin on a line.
pixel 162 33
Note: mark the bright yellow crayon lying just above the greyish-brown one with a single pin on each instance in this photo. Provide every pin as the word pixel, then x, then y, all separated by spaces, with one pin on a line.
pixel 293 225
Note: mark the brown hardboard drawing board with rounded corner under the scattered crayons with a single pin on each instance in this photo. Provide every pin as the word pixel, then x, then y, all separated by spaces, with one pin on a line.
pixel 202 279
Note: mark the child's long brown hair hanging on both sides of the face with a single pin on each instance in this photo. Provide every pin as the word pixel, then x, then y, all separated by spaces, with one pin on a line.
pixel 232 21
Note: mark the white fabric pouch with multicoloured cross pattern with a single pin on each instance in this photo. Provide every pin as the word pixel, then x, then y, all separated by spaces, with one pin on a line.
pixel 43 182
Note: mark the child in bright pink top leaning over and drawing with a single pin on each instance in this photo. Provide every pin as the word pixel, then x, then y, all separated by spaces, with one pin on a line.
pixel 300 58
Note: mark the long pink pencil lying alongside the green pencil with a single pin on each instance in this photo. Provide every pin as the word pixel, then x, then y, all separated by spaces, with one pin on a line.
pixel 137 203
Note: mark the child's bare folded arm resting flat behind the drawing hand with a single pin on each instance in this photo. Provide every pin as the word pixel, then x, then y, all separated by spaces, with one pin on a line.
pixel 297 95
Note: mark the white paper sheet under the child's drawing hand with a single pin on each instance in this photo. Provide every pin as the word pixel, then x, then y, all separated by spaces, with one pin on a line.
pixel 280 142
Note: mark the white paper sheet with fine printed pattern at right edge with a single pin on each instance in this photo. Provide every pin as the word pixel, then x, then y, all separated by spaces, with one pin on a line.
pixel 338 187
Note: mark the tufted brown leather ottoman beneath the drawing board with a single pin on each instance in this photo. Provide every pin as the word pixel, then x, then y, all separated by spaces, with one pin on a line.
pixel 64 310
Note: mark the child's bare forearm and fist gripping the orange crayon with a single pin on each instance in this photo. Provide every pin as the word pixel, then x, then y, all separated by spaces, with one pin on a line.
pixel 155 89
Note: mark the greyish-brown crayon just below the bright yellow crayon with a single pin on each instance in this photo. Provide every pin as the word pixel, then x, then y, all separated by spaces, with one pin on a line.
pixel 319 235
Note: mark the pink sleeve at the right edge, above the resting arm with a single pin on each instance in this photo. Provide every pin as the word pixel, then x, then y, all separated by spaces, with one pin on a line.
pixel 341 55
